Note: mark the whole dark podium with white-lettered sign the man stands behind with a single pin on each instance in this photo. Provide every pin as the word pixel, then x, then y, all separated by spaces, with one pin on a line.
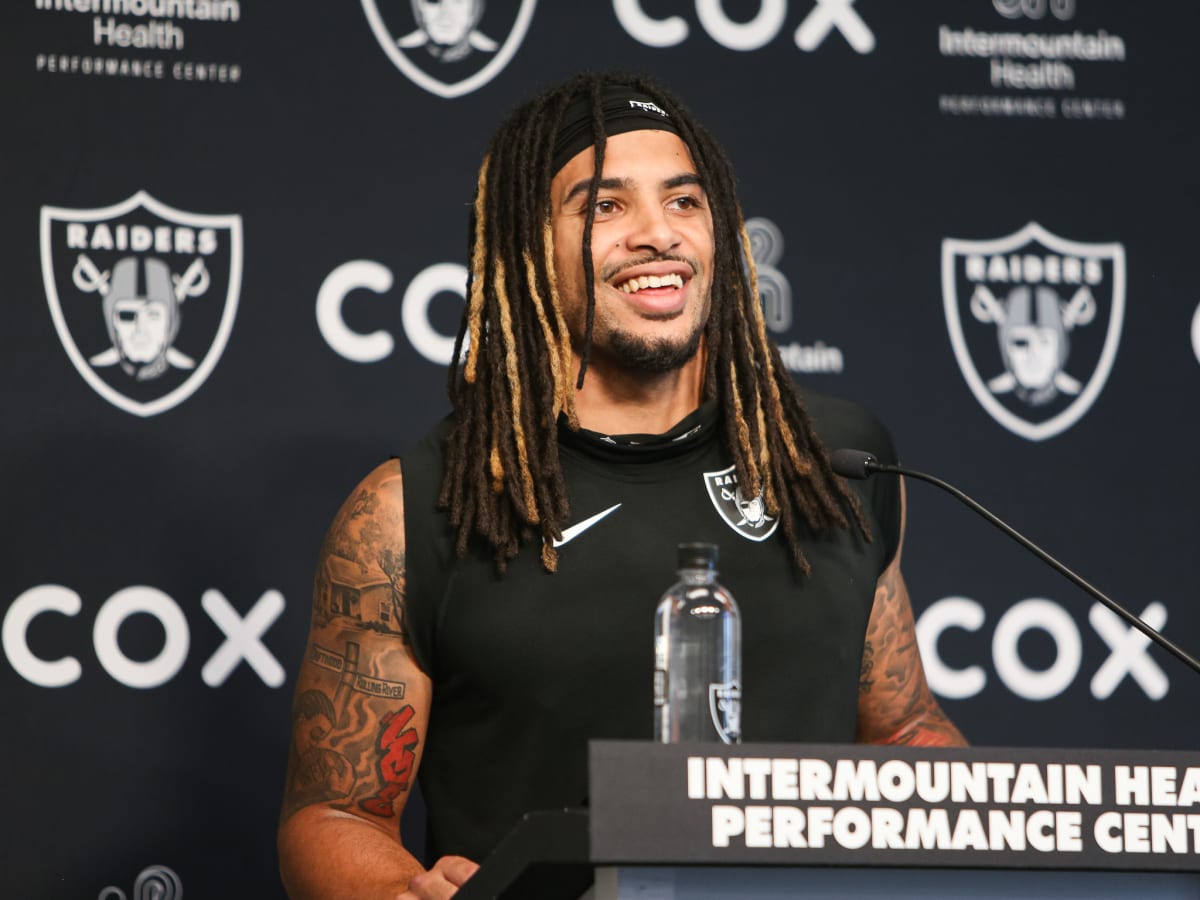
pixel 675 823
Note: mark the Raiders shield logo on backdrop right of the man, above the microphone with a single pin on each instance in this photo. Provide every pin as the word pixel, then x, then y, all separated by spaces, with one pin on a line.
pixel 1035 321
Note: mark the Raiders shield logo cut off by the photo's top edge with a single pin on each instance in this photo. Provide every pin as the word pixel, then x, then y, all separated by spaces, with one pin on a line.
pixel 449 47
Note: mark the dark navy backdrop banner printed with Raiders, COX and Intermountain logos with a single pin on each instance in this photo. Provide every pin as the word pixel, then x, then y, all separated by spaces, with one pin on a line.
pixel 233 236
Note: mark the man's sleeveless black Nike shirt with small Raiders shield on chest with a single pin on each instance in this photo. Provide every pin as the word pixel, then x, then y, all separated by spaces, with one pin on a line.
pixel 529 667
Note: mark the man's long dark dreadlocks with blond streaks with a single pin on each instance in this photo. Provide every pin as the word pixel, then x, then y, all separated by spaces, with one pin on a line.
pixel 503 479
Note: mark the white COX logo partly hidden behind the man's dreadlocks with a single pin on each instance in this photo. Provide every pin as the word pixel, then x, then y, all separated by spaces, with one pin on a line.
pixel 415 310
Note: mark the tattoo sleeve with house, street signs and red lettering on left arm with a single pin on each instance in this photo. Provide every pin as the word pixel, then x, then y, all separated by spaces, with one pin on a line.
pixel 356 733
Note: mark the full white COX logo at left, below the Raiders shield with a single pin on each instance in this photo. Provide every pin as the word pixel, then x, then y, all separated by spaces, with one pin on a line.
pixel 243 638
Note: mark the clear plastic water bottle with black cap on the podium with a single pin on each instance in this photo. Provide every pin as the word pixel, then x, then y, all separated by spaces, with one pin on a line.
pixel 698 656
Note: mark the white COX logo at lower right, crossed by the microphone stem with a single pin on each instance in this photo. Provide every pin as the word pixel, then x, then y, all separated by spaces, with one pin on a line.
pixel 1127 650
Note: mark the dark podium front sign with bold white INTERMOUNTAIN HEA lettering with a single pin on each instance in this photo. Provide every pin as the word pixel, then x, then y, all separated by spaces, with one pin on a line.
pixel 801 805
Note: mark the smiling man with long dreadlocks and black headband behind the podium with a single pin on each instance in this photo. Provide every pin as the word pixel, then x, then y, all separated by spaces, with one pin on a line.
pixel 487 607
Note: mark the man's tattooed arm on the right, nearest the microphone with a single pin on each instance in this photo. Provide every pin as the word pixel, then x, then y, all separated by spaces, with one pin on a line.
pixel 896 705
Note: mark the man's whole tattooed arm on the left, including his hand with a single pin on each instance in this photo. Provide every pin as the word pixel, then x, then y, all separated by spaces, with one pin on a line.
pixel 361 717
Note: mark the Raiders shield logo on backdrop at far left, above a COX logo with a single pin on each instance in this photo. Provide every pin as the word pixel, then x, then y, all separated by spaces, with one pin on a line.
pixel 143 297
